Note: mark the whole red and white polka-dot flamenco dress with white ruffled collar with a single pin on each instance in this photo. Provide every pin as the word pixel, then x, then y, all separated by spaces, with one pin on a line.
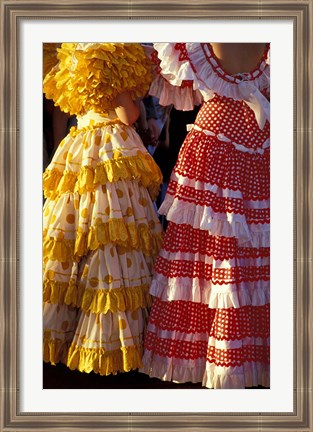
pixel 210 321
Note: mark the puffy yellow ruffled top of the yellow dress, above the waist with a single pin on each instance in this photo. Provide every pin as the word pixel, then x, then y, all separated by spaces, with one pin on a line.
pixel 90 76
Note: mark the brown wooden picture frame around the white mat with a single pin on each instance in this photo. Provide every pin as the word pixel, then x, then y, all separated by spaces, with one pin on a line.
pixel 300 13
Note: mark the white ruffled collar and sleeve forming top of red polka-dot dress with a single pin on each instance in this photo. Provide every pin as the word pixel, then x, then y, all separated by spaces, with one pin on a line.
pixel 189 73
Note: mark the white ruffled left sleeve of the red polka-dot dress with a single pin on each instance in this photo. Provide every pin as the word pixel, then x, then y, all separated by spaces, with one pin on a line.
pixel 174 83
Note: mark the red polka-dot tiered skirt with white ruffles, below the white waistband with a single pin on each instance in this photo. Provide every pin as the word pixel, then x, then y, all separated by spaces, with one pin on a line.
pixel 210 320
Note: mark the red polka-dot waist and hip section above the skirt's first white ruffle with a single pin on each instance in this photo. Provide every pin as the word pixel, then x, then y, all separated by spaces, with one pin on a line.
pixel 207 159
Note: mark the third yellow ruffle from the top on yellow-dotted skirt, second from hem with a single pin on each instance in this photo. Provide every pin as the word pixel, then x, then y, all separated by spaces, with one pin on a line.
pixel 97 301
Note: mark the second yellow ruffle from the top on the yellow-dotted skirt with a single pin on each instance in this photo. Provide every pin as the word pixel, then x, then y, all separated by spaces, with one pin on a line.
pixel 115 231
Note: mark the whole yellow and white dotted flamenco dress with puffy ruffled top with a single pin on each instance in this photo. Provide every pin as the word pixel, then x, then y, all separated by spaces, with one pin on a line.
pixel 101 232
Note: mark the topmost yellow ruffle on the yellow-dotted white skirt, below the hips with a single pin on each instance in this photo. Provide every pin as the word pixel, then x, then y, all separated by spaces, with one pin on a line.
pixel 141 167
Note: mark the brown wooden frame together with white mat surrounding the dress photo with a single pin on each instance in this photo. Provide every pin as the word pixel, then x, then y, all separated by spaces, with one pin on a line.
pixel 26 404
